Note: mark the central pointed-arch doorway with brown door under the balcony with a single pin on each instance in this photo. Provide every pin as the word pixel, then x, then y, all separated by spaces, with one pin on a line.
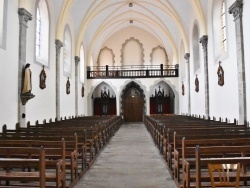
pixel 133 103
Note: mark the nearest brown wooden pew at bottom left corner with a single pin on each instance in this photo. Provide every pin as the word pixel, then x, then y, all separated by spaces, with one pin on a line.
pixel 18 158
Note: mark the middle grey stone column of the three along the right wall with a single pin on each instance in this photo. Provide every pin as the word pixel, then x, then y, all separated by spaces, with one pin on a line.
pixel 203 41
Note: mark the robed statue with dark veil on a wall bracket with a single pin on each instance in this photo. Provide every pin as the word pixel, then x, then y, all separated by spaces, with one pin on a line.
pixel 26 85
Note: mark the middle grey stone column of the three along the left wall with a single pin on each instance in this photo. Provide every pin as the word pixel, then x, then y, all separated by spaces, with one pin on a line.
pixel 59 44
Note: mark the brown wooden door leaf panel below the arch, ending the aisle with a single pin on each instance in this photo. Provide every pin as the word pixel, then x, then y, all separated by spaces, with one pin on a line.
pixel 133 109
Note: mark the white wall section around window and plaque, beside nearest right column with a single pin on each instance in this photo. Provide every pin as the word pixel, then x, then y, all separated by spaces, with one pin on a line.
pixel 223 99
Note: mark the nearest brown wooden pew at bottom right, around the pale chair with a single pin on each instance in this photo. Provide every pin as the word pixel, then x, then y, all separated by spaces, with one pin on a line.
pixel 195 172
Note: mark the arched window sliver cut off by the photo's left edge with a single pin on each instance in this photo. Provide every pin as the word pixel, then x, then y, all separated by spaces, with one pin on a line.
pixel 3 26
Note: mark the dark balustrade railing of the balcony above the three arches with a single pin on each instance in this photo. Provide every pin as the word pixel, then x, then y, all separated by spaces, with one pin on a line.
pixel 145 71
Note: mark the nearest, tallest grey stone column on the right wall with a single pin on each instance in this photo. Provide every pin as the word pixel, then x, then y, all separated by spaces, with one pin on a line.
pixel 236 9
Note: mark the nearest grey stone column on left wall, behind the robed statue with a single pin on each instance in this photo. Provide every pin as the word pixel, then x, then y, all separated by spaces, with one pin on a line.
pixel 24 17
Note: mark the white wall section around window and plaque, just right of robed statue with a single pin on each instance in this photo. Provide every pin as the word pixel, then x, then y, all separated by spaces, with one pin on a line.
pixel 43 105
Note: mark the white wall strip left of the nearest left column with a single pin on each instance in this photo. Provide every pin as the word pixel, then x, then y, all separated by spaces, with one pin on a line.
pixel 9 69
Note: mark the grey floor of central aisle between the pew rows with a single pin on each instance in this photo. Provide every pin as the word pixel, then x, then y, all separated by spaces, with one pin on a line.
pixel 130 160
